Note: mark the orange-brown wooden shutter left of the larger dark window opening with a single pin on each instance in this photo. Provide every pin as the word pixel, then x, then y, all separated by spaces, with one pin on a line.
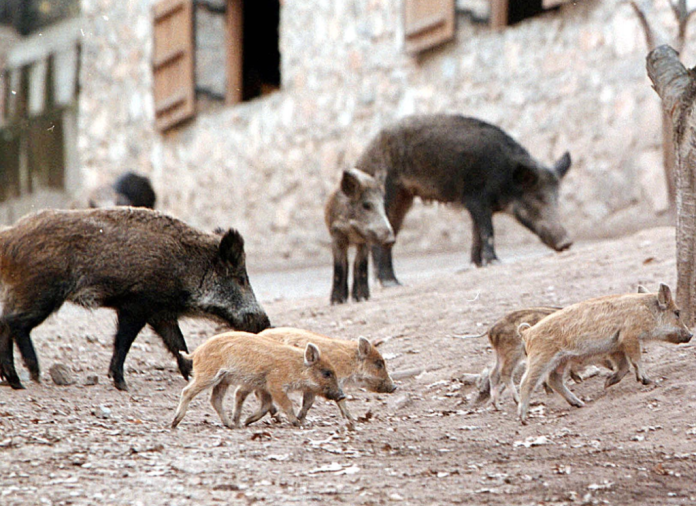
pixel 172 63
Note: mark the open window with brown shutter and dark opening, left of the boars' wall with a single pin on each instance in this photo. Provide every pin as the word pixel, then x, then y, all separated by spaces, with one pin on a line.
pixel 194 39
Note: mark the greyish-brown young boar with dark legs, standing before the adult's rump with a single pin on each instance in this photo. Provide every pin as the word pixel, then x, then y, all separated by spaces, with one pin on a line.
pixel 354 215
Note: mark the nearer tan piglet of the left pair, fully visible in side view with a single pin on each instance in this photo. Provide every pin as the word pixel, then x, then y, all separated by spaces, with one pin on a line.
pixel 257 364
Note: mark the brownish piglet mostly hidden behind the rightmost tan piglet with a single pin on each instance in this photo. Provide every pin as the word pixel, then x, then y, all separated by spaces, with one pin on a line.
pixel 509 352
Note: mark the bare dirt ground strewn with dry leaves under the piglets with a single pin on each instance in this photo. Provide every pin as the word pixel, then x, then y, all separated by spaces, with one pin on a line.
pixel 427 443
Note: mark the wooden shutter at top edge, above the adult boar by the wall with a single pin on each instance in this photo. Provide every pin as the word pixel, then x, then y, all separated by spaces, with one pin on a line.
pixel 427 23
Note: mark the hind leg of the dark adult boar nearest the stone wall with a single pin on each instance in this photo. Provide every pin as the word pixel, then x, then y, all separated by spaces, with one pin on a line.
pixel 397 202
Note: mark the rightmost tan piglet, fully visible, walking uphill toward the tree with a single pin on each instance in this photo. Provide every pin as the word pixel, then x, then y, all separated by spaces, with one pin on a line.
pixel 614 325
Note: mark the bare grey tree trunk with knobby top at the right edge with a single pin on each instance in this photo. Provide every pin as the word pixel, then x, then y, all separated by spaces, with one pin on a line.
pixel 676 86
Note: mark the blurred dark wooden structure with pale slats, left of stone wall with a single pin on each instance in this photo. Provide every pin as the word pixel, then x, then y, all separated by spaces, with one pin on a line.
pixel 38 108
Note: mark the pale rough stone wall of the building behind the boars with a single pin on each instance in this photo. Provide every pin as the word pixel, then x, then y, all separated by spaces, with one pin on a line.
pixel 573 79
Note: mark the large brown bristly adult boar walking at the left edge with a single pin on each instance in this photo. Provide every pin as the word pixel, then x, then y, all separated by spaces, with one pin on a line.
pixel 149 267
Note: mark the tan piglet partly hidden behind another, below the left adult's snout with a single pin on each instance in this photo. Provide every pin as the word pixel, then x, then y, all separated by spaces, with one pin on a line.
pixel 356 362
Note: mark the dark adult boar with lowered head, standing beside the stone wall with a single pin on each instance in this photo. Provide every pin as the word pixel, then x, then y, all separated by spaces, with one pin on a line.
pixel 465 162
